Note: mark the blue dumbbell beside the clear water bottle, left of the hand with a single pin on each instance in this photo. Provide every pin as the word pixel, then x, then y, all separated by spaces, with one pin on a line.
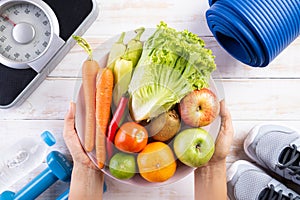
pixel 59 168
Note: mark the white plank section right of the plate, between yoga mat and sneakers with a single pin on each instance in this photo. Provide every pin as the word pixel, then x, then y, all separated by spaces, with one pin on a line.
pixel 261 99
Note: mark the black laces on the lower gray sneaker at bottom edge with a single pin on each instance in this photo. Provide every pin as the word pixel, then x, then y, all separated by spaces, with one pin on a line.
pixel 271 194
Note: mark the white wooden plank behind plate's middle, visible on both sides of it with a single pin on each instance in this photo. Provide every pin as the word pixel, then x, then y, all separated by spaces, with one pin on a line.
pixel 248 99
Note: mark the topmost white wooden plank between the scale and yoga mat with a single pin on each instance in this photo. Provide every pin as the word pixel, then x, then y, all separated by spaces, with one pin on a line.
pixel 125 15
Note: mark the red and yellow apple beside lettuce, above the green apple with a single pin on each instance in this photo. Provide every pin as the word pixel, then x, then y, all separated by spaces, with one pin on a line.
pixel 199 108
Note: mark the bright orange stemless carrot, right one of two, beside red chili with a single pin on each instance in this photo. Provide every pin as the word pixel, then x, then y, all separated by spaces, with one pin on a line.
pixel 104 89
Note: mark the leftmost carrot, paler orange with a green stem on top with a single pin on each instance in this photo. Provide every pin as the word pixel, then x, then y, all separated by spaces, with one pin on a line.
pixel 90 70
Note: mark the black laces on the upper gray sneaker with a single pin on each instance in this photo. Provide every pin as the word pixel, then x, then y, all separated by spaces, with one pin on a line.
pixel 290 158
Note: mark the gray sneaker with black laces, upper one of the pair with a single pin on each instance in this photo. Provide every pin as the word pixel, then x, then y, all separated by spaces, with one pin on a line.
pixel 276 148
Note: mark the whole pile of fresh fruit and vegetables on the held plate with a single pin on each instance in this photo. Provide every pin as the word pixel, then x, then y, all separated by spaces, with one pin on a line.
pixel 160 98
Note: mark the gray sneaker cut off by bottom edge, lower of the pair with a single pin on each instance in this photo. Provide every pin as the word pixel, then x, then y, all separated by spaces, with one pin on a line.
pixel 245 181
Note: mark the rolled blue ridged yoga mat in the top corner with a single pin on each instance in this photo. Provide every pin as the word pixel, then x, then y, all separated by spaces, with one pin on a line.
pixel 254 31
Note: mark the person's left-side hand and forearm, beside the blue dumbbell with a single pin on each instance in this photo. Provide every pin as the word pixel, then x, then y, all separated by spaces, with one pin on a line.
pixel 87 180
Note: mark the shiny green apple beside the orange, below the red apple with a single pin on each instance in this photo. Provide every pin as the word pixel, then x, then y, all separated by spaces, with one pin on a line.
pixel 194 147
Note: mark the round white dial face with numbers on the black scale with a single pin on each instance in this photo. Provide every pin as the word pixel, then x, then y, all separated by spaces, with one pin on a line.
pixel 25 32
